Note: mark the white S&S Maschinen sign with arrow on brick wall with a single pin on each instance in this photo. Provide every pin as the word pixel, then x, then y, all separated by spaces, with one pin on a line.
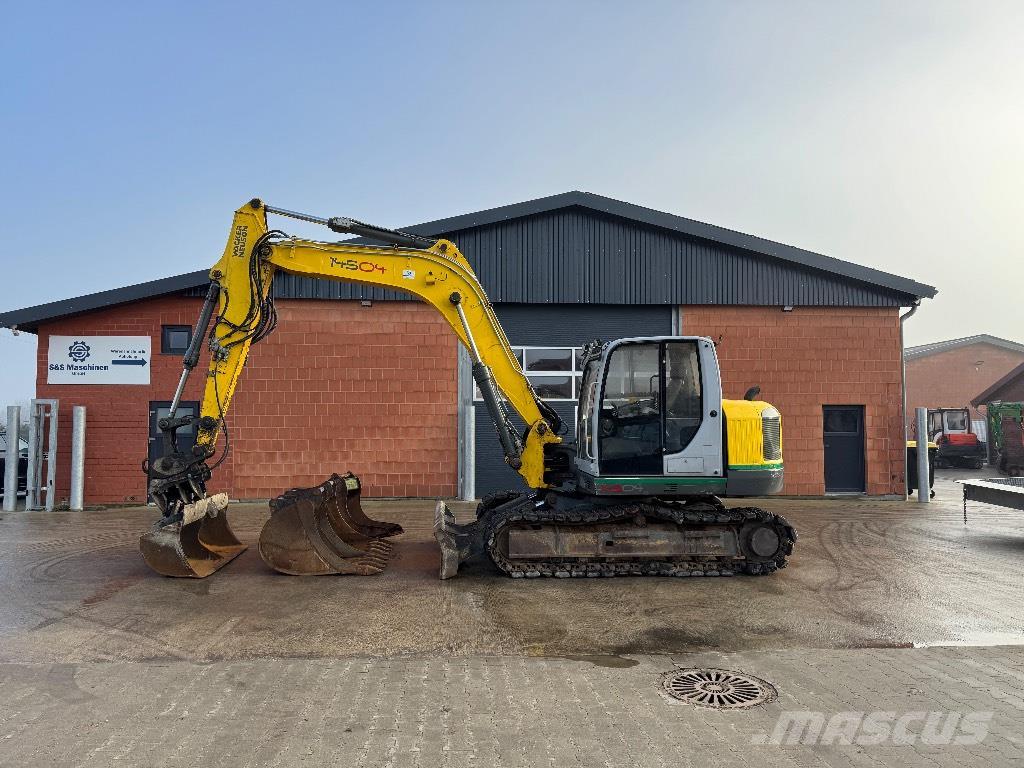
pixel 99 360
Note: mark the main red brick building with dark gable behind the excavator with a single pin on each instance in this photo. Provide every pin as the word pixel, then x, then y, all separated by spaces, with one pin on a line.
pixel 372 381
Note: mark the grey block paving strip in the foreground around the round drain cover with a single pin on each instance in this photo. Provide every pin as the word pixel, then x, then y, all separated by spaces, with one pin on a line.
pixel 503 711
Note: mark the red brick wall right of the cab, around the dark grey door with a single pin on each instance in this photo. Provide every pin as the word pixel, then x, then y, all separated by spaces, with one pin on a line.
pixel 808 359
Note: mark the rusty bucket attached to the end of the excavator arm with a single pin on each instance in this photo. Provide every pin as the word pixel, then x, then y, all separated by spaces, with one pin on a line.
pixel 196 547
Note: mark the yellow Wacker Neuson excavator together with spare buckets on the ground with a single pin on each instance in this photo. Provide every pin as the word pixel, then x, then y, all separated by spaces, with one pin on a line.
pixel 637 493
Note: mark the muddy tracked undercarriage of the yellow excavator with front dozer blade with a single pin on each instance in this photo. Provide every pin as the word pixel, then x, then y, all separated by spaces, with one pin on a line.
pixel 543 535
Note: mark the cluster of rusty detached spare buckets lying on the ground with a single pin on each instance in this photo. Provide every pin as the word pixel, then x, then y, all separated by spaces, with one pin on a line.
pixel 323 530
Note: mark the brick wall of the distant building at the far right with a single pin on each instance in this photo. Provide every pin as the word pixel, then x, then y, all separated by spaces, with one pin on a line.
pixel 955 378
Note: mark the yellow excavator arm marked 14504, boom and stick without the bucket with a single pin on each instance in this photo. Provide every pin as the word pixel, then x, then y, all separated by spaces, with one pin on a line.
pixel 239 312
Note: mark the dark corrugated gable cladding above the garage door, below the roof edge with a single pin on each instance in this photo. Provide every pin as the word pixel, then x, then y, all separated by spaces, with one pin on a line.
pixel 576 255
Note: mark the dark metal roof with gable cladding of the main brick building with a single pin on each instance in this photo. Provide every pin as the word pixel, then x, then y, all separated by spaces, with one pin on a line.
pixel 583 248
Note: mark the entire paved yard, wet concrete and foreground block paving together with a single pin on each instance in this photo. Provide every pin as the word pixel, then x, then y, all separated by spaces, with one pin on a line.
pixel 103 663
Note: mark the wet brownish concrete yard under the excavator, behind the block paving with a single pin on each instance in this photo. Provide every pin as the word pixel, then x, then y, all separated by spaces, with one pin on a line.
pixel 865 573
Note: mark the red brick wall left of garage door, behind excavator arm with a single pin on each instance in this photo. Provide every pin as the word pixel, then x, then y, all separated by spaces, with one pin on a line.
pixel 337 388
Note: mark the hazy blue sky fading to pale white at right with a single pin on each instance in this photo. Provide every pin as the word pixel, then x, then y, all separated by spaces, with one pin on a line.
pixel 889 135
